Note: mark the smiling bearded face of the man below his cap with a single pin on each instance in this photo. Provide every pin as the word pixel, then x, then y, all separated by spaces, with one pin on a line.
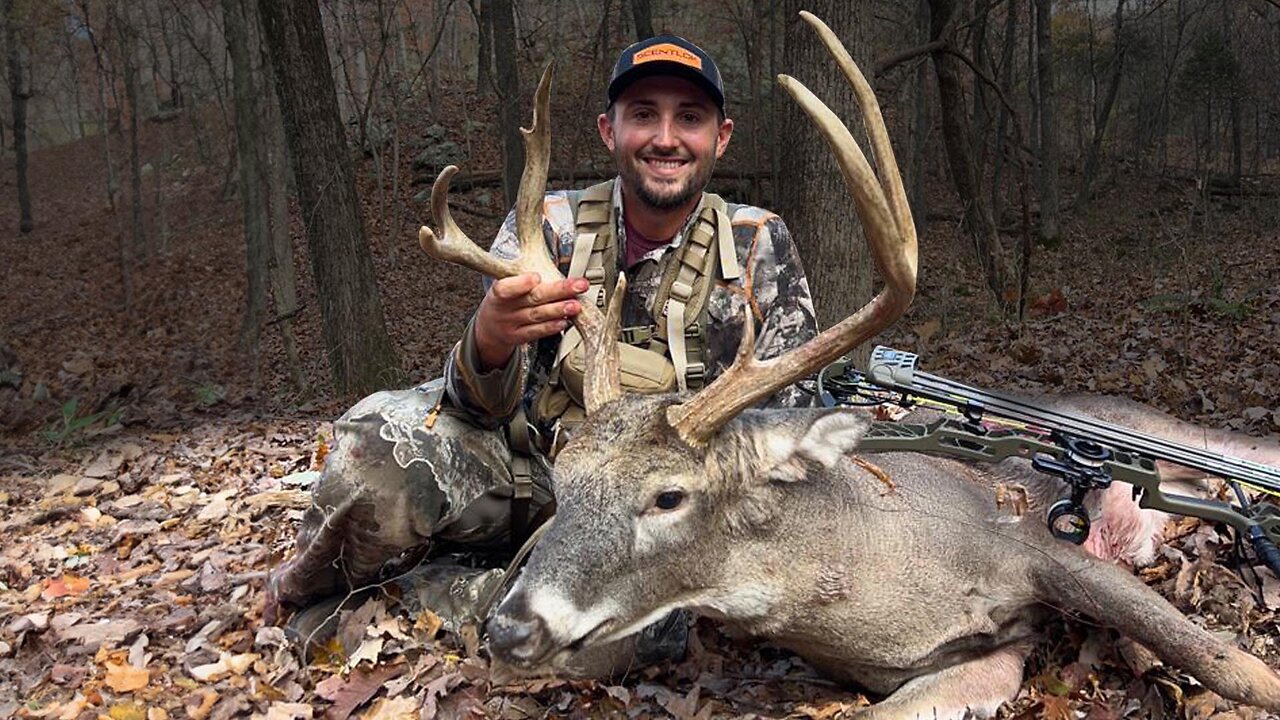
pixel 666 135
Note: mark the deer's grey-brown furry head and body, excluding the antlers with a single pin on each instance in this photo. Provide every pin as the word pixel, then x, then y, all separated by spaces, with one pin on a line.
pixel 924 591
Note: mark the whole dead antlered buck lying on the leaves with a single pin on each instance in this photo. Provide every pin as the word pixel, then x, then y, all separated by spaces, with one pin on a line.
pixel 897 575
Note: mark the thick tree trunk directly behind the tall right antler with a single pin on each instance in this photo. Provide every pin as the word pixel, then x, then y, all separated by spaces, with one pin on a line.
pixel 816 204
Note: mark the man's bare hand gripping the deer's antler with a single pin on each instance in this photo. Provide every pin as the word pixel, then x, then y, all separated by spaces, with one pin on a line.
pixel 523 309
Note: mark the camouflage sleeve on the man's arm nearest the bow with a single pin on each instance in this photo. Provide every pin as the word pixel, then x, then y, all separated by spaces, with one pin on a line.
pixel 781 294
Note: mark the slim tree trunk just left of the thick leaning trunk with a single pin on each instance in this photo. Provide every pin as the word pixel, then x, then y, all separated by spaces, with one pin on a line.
pixel 249 110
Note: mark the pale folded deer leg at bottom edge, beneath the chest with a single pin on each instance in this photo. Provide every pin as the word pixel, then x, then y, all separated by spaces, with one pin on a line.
pixel 971 690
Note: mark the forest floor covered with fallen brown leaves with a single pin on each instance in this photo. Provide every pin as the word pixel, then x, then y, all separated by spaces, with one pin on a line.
pixel 139 525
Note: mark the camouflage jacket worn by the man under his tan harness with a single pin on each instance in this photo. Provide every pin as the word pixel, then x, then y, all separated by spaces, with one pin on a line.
pixel 772 282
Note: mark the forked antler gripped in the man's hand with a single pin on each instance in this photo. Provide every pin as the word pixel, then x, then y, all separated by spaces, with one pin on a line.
pixel 604 384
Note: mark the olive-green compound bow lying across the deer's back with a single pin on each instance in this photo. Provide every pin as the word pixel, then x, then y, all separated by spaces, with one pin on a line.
pixel 1084 453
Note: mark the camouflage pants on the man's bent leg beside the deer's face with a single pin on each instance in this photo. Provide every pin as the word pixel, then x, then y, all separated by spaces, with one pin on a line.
pixel 401 481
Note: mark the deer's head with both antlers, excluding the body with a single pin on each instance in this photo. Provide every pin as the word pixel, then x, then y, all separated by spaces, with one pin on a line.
pixel 641 534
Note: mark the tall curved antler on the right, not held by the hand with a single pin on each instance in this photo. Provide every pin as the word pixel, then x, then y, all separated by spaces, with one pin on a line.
pixel 890 236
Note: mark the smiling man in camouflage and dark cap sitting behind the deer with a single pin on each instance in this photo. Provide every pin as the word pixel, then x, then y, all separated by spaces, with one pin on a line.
pixel 463 463
